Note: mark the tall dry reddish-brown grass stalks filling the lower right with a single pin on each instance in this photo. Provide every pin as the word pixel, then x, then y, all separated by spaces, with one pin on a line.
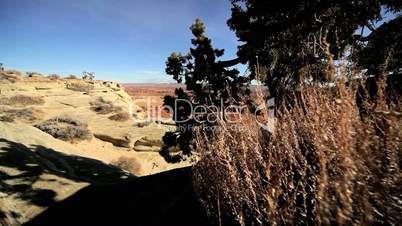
pixel 323 164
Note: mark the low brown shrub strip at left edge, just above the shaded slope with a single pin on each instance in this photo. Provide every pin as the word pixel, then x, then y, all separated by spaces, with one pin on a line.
pixel 26 114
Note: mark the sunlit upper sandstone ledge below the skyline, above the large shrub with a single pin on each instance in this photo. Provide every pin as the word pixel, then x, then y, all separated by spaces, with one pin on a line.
pixel 73 98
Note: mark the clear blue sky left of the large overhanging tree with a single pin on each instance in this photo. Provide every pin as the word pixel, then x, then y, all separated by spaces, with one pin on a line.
pixel 122 40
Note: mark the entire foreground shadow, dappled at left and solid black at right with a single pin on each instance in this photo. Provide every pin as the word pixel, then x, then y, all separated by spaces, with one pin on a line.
pixel 112 198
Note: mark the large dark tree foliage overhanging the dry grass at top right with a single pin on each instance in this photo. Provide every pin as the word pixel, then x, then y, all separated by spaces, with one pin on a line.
pixel 299 40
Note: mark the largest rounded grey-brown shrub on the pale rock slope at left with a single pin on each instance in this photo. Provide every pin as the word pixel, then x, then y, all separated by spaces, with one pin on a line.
pixel 65 128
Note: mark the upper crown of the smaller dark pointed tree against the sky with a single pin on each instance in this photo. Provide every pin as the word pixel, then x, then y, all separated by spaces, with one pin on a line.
pixel 208 79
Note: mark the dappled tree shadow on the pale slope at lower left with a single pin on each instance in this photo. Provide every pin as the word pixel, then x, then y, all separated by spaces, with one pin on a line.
pixel 25 166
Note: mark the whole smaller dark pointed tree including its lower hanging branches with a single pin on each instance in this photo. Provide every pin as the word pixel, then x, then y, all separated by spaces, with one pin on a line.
pixel 208 81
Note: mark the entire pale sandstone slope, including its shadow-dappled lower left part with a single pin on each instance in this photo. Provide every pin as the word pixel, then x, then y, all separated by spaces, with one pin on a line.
pixel 37 170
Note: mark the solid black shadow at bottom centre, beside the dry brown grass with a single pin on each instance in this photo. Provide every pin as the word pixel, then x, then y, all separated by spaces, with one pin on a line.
pixel 162 199
